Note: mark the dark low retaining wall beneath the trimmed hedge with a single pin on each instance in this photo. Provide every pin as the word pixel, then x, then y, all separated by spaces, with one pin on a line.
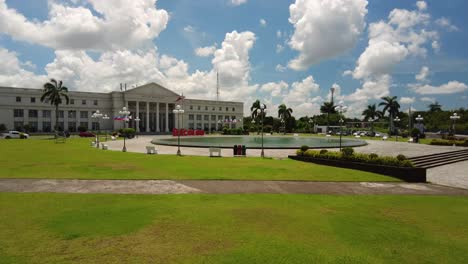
pixel 402 173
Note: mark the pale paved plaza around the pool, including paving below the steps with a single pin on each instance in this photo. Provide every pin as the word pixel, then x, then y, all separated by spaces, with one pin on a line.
pixel 454 175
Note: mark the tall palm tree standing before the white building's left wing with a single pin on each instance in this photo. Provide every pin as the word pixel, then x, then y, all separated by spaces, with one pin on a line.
pixel 53 92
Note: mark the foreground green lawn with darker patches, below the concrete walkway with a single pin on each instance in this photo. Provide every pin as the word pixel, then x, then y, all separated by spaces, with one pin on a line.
pixel 86 228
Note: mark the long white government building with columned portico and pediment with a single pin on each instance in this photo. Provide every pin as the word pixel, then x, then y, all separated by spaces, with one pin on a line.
pixel 152 103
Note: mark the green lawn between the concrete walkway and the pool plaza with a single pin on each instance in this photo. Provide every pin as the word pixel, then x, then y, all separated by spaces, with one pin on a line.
pixel 75 159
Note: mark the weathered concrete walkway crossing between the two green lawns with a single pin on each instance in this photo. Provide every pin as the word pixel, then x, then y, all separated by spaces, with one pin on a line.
pixel 223 187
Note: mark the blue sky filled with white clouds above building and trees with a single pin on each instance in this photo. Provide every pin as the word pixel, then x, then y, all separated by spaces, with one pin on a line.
pixel 288 52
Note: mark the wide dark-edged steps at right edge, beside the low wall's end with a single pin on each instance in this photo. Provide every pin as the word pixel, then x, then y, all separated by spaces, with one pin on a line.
pixel 439 159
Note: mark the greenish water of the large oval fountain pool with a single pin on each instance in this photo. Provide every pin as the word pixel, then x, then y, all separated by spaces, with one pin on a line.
pixel 255 142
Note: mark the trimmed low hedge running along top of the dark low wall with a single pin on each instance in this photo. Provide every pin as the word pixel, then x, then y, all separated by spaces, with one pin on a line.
pixel 358 157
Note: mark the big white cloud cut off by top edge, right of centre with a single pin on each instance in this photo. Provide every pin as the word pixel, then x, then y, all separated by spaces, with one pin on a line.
pixel 324 29
